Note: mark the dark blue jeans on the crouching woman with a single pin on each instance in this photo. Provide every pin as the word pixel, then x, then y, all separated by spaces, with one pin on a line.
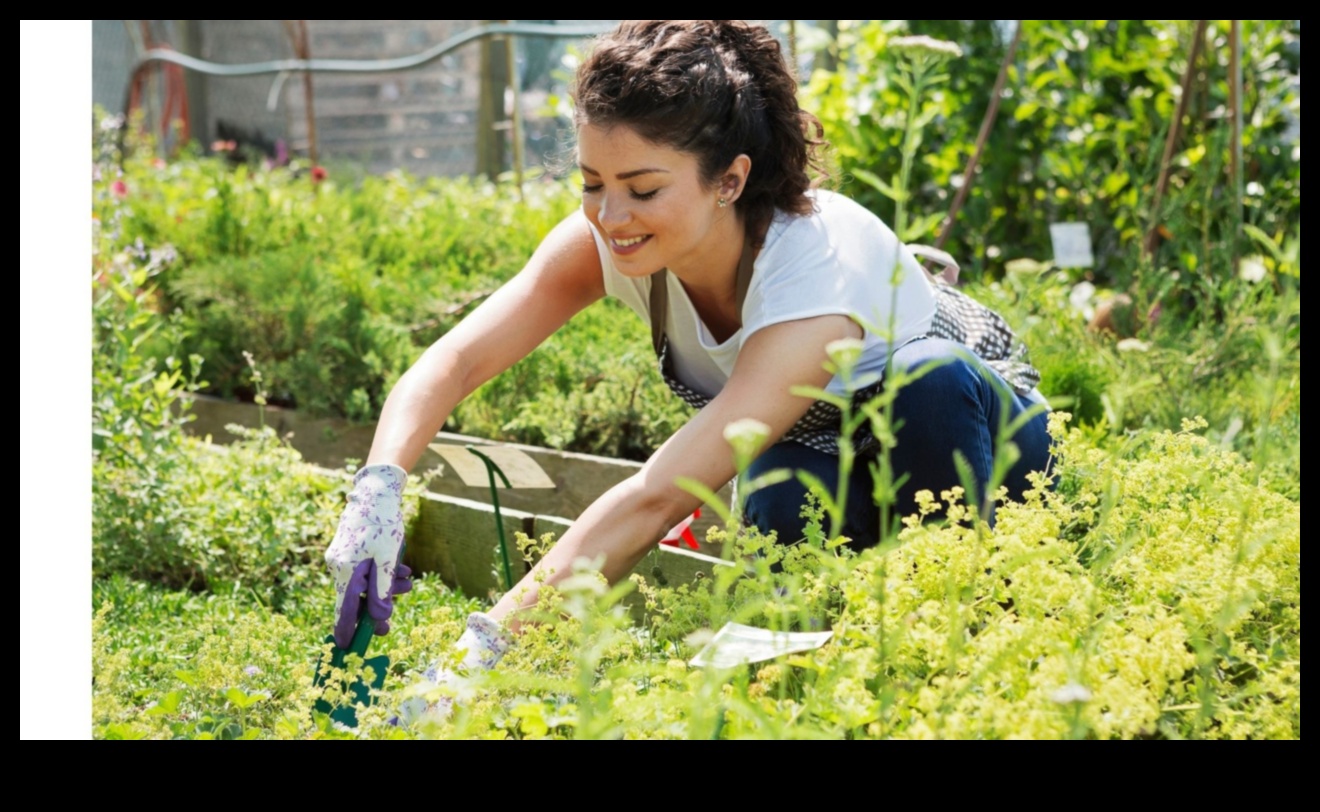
pixel 956 406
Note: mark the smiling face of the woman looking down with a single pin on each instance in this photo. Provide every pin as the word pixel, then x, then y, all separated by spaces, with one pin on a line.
pixel 650 204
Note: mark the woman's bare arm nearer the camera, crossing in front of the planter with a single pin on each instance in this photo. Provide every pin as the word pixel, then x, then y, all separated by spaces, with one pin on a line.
pixel 630 518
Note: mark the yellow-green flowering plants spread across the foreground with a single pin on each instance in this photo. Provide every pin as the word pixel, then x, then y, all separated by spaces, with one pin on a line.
pixel 1156 595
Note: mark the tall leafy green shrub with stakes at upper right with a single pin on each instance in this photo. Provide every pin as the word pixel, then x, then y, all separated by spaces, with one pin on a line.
pixel 1079 137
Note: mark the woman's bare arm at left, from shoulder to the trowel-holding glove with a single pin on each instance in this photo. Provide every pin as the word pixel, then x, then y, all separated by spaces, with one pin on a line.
pixel 562 279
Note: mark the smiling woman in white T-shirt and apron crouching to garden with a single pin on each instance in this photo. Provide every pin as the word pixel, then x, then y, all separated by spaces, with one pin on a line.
pixel 699 213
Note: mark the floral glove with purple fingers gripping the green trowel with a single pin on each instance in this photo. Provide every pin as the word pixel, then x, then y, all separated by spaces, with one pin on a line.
pixel 365 554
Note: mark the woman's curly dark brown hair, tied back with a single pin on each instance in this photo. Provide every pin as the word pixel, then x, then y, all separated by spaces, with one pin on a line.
pixel 713 89
